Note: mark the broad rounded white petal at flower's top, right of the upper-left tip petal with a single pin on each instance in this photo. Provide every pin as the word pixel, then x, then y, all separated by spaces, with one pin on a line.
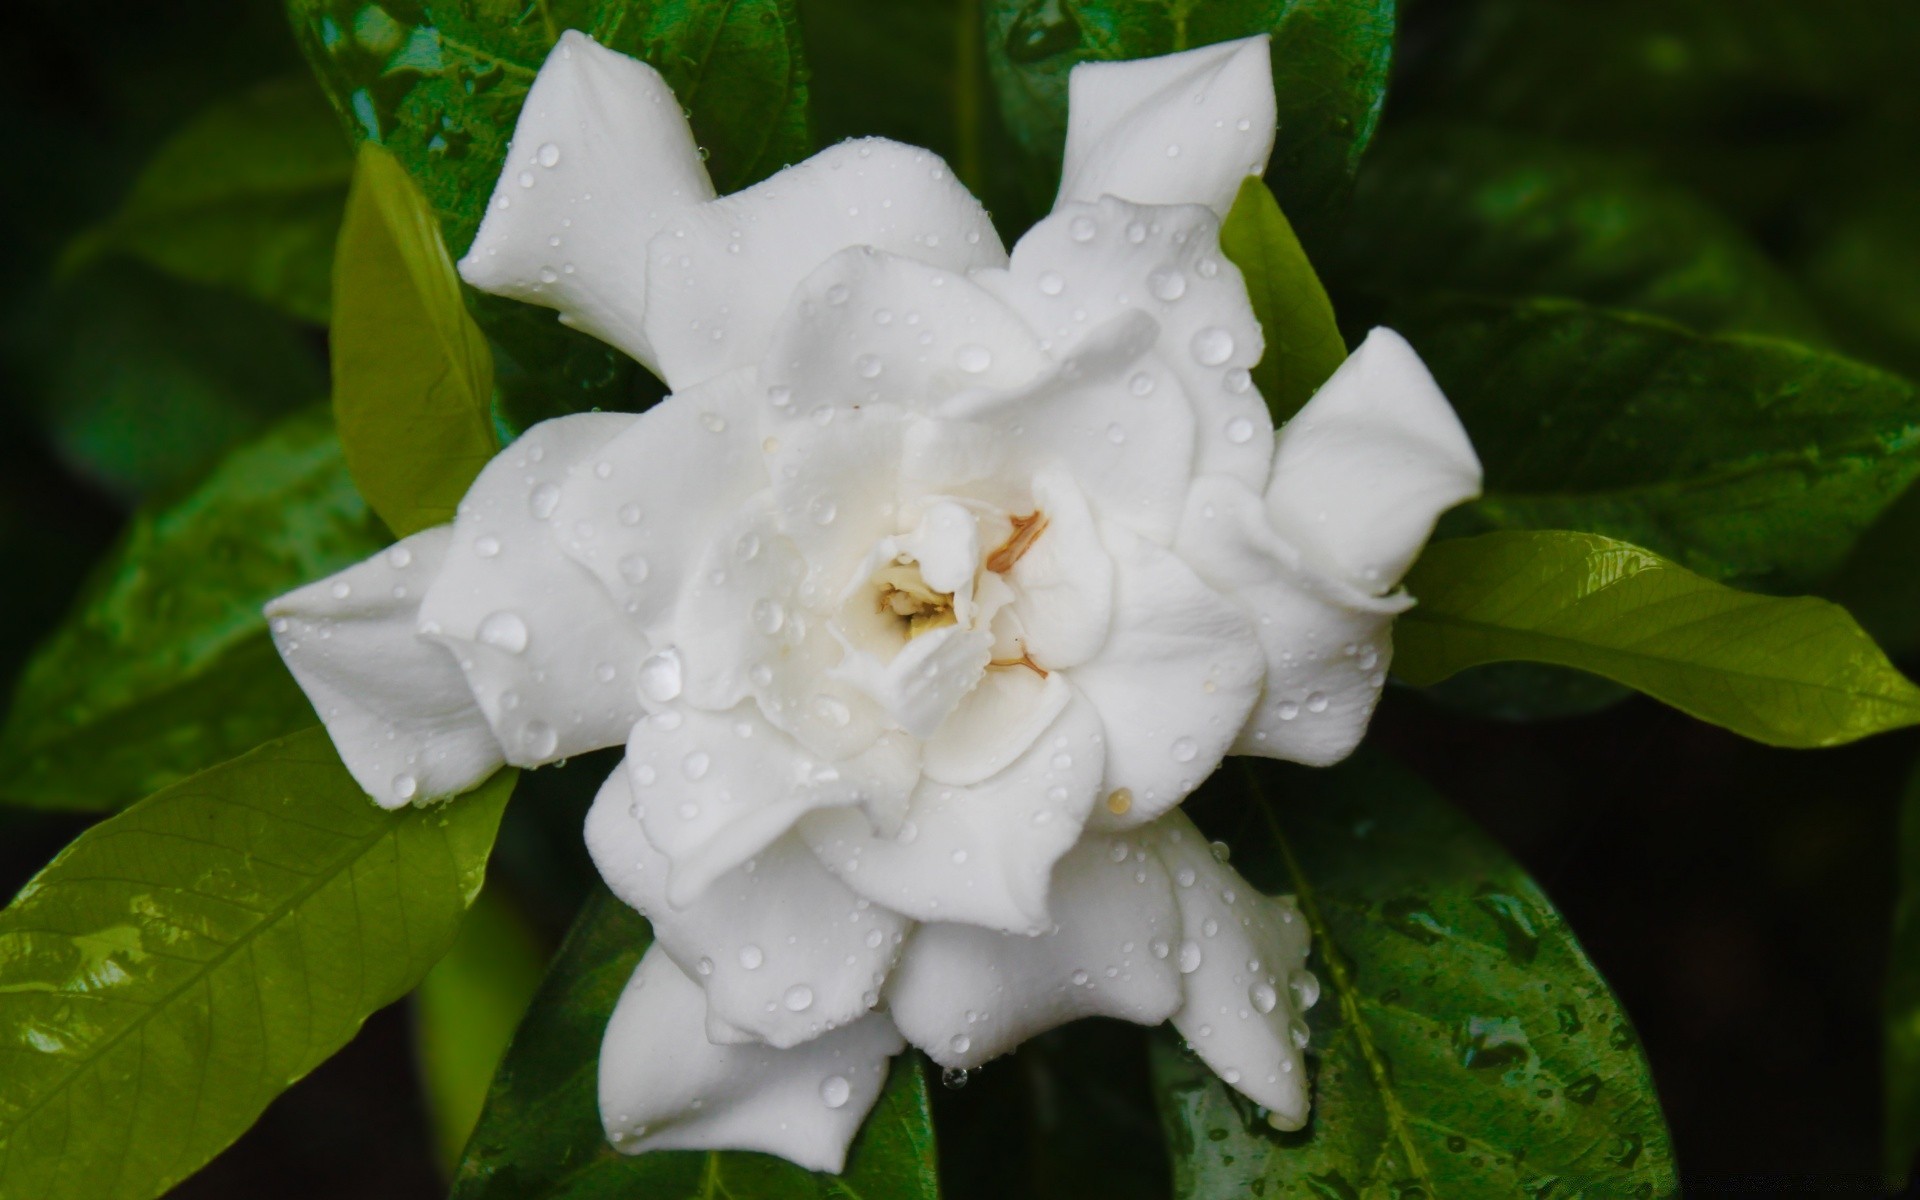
pixel 721 276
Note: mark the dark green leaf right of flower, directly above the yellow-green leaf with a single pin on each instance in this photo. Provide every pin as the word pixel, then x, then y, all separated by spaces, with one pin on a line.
pixel 1746 460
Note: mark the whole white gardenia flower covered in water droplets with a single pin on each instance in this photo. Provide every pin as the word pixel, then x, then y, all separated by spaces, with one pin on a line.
pixel 936 585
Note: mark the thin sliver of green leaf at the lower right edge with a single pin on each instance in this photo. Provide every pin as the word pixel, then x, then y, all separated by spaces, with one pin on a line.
pixel 1902 1053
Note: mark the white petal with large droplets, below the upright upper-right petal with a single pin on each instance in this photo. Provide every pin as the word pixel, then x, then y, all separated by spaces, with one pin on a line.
pixel 1092 262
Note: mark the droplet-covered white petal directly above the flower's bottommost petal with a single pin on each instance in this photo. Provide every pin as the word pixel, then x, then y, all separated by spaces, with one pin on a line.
pixel 782 949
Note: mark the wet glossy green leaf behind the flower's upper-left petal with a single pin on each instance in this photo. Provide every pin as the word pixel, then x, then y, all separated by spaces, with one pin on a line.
pixel 441 87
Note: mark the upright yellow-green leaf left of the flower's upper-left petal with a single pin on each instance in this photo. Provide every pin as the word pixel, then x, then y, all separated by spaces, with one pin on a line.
pixel 414 381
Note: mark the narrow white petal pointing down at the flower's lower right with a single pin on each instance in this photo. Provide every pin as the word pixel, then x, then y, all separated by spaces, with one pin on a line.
pixel 1243 963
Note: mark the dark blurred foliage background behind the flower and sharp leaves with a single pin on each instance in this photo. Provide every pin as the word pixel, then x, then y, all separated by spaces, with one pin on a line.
pixel 1735 164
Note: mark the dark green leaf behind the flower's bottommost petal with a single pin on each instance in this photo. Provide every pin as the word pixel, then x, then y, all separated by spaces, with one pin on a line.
pixel 540 1134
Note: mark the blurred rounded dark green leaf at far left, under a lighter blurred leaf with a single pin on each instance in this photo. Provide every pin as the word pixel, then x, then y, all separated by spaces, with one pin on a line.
pixel 143 381
